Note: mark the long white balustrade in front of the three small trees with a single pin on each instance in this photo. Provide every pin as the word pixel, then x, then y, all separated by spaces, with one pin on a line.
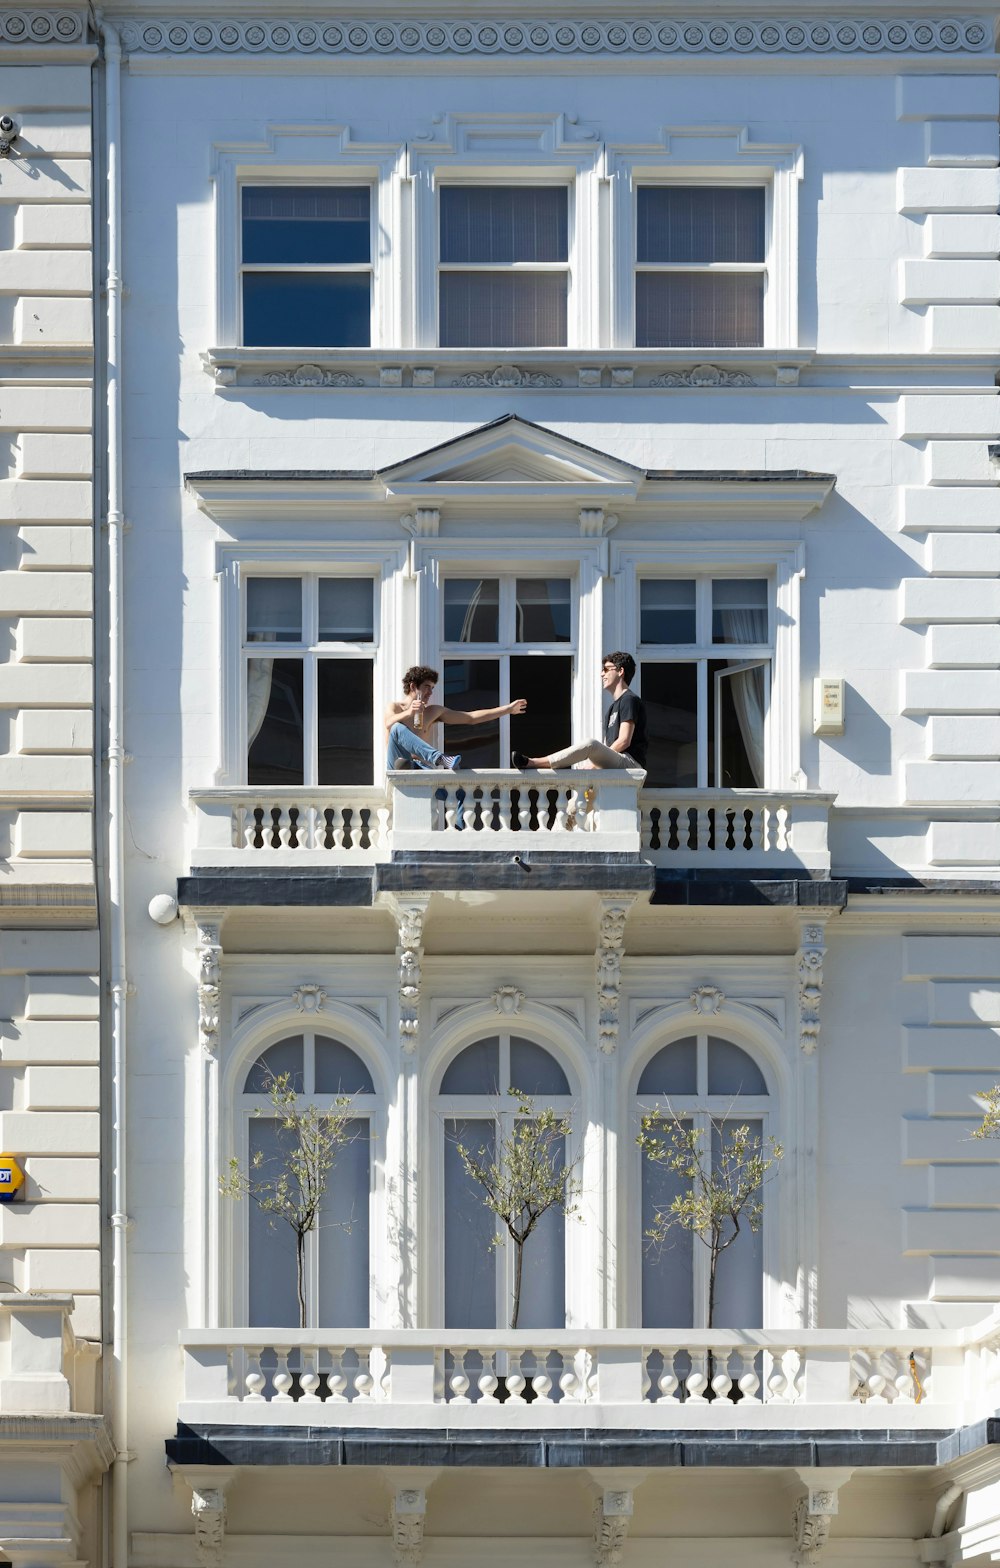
pixel 748 1379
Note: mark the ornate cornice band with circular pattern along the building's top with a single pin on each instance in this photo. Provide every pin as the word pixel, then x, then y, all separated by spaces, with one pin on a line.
pixel 509 37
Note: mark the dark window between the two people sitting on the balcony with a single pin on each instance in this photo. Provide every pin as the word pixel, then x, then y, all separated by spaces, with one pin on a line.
pixel 495 636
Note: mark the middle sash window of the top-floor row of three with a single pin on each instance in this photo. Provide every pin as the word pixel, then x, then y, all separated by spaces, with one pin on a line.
pixel 504 266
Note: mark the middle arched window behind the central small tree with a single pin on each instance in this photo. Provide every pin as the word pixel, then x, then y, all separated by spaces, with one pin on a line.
pixel 476 1109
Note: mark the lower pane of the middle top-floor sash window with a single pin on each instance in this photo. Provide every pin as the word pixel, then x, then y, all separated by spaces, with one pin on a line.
pixel 504 310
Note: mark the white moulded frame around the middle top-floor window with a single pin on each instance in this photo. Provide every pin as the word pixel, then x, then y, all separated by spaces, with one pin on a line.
pixel 509 150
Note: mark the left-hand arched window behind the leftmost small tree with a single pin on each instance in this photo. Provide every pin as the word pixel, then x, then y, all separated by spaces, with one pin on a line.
pixel 322 1072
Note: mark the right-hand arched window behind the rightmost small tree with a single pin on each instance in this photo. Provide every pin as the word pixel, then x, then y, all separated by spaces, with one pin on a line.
pixel 708 1083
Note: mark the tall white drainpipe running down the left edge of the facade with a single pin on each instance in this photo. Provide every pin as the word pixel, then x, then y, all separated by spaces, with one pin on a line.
pixel 117 808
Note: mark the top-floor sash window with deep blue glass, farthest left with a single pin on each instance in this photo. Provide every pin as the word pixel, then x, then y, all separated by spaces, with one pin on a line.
pixel 306 266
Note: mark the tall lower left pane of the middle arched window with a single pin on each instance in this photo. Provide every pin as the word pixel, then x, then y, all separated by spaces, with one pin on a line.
pixel 471 1263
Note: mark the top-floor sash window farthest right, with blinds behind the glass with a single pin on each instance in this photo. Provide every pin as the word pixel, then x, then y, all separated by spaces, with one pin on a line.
pixel 700 266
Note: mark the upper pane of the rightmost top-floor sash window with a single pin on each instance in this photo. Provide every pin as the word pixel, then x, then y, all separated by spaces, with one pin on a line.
pixel 700 225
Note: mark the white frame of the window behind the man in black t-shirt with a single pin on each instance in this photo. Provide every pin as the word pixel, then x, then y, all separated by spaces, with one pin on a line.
pixel 780 562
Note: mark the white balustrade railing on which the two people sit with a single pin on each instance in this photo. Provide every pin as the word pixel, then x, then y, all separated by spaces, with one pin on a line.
pixel 471 813
